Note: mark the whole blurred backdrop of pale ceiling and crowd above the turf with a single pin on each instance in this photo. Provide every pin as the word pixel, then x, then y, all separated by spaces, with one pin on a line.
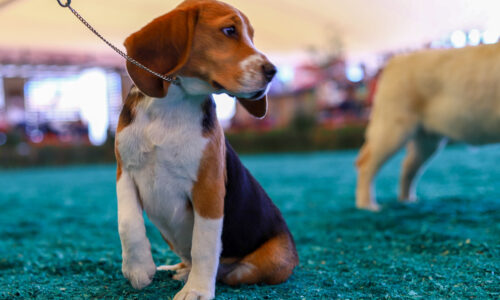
pixel 61 88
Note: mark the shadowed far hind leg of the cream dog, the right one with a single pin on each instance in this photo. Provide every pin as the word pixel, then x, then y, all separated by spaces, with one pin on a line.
pixel 418 152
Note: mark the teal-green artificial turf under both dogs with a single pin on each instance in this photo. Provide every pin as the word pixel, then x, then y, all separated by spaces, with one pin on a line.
pixel 59 239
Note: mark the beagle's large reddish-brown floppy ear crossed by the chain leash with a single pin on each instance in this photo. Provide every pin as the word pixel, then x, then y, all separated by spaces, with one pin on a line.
pixel 163 46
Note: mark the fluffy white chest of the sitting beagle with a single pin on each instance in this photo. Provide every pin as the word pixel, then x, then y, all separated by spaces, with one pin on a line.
pixel 161 150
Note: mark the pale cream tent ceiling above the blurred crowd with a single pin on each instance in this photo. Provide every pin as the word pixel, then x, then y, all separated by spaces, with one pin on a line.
pixel 282 26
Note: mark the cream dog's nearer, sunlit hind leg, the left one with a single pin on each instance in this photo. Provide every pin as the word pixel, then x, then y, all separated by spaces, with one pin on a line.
pixel 384 137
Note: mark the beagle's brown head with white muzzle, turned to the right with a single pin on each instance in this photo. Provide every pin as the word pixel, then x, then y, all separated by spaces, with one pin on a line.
pixel 207 40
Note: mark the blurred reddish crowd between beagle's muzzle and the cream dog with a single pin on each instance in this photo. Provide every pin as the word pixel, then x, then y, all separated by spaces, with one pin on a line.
pixel 329 94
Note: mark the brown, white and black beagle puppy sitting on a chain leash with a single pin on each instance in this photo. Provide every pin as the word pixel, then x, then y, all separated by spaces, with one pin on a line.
pixel 174 163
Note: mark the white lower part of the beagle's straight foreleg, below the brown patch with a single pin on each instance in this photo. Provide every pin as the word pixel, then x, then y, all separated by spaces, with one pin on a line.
pixel 205 254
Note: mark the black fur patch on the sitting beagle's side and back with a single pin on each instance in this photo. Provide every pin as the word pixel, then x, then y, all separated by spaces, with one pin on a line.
pixel 250 216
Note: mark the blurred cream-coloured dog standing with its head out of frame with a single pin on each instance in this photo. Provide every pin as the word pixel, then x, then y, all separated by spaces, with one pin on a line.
pixel 423 98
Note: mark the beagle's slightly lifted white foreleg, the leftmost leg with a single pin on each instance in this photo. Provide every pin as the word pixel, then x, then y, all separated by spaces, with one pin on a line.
pixel 138 265
